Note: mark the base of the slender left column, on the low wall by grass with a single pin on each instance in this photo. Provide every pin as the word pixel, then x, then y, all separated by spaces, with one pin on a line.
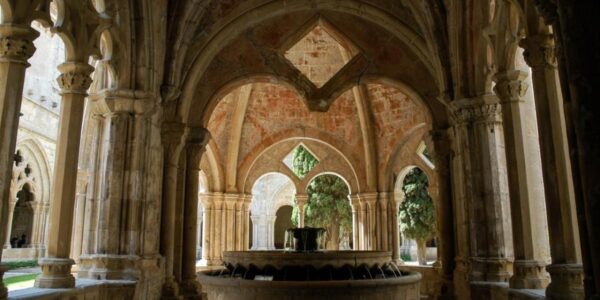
pixel 56 273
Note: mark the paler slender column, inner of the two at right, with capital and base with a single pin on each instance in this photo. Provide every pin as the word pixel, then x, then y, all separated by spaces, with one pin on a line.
pixel 529 222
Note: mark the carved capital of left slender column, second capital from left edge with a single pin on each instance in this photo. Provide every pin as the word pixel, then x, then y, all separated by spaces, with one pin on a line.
pixel 74 78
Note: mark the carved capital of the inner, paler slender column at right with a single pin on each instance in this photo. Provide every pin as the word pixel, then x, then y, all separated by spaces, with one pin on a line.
pixel 511 86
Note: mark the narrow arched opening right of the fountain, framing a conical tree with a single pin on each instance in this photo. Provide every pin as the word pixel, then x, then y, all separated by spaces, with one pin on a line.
pixel 416 218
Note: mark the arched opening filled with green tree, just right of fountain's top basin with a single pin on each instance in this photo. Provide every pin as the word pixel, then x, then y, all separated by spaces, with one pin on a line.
pixel 329 207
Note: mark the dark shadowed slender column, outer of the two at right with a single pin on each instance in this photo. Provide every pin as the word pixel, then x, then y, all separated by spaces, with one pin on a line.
pixel 566 270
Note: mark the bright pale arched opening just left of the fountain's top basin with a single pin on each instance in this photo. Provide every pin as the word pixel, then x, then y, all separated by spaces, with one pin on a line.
pixel 270 192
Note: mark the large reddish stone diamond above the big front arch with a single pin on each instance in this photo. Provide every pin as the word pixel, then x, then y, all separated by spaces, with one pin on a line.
pixel 318 56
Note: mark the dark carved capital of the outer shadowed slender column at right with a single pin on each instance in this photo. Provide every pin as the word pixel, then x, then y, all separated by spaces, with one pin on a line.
pixel 540 51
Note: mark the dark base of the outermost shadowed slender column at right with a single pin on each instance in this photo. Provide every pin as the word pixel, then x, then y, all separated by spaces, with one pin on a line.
pixel 567 282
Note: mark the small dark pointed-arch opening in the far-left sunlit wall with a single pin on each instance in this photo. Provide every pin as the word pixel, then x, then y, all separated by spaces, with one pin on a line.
pixel 22 225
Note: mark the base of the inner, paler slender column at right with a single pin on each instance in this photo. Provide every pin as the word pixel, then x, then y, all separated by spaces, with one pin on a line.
pixel 529 274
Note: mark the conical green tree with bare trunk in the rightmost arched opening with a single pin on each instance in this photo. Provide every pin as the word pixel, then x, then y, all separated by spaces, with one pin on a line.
pixel 417 214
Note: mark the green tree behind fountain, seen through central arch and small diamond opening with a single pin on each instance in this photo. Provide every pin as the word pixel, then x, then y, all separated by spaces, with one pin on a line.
pixel 328 205
